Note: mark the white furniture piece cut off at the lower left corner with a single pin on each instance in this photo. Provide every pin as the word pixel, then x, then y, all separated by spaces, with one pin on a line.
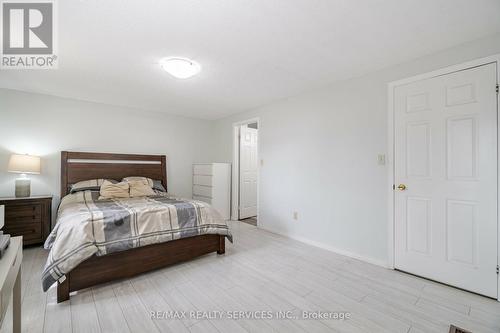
pixel 10 282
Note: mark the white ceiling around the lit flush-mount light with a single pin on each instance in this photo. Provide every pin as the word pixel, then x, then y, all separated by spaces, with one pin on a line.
pixel 252 52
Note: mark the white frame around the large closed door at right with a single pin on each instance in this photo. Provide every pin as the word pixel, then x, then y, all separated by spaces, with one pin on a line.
pixel 390 148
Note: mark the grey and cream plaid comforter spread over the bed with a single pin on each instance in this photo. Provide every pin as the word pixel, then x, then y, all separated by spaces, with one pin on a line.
pixel 87 226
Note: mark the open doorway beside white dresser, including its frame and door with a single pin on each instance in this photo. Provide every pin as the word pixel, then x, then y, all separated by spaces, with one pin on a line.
pixel 245 171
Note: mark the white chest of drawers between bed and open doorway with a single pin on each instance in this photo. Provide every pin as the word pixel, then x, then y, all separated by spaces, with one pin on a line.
pixel 212 184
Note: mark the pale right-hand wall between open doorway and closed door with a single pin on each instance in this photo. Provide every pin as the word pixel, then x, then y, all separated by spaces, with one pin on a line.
pixel 320 157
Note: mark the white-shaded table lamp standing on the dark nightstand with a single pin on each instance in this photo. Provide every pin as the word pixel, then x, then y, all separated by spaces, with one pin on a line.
pixel 24 164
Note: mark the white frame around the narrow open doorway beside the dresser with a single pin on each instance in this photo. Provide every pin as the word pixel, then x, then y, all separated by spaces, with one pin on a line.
pixel 235 177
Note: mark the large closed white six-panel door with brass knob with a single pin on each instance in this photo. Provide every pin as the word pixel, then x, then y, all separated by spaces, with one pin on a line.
pixel 446 156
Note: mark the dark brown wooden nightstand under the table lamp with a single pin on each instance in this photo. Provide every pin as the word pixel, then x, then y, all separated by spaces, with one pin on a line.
pixel 29 217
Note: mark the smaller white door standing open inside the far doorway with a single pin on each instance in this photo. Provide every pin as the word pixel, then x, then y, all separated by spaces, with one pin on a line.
pixel 248 172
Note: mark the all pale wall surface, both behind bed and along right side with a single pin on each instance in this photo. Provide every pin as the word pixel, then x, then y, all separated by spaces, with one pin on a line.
pixel 319 149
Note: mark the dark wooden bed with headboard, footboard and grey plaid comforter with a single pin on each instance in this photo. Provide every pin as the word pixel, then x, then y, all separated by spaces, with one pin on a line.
pixel 88 245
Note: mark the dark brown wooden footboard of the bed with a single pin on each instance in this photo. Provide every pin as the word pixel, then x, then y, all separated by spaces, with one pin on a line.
pixel 125 264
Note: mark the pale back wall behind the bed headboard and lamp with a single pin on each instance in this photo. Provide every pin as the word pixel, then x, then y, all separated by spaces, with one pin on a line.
pixel 44 125
